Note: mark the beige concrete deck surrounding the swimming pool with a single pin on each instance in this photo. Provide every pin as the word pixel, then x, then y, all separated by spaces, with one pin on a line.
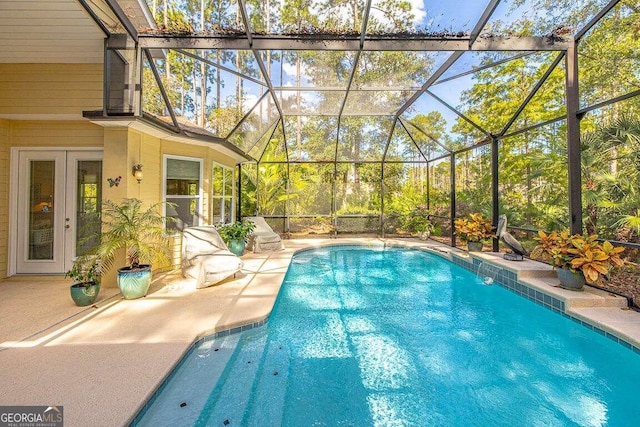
pixel 102 363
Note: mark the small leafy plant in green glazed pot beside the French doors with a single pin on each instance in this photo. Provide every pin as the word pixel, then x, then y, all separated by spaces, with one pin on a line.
pixel 85 273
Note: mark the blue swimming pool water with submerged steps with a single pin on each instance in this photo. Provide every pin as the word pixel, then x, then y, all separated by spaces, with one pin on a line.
pixel 393 337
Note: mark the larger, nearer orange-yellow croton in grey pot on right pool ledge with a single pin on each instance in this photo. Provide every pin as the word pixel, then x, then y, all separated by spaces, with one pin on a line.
pixel 577 259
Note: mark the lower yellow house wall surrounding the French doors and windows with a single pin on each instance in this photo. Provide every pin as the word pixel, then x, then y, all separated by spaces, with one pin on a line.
pixel 123 147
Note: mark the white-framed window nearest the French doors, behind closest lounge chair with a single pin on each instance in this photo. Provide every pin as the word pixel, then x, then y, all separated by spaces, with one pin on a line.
pixel 182 187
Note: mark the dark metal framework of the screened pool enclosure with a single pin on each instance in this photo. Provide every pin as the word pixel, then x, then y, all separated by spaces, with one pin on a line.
pixel 144 46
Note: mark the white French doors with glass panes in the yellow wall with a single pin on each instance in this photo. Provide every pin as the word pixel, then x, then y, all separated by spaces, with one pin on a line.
pixel 58 199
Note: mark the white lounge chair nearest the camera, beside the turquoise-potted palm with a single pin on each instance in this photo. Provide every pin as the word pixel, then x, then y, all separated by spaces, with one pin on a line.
pixel 205 257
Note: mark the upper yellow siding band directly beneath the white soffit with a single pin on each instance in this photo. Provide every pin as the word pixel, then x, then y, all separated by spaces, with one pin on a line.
pixel 65 89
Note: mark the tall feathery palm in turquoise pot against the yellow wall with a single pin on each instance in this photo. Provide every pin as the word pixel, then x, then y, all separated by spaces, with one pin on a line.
pixel 141 233
